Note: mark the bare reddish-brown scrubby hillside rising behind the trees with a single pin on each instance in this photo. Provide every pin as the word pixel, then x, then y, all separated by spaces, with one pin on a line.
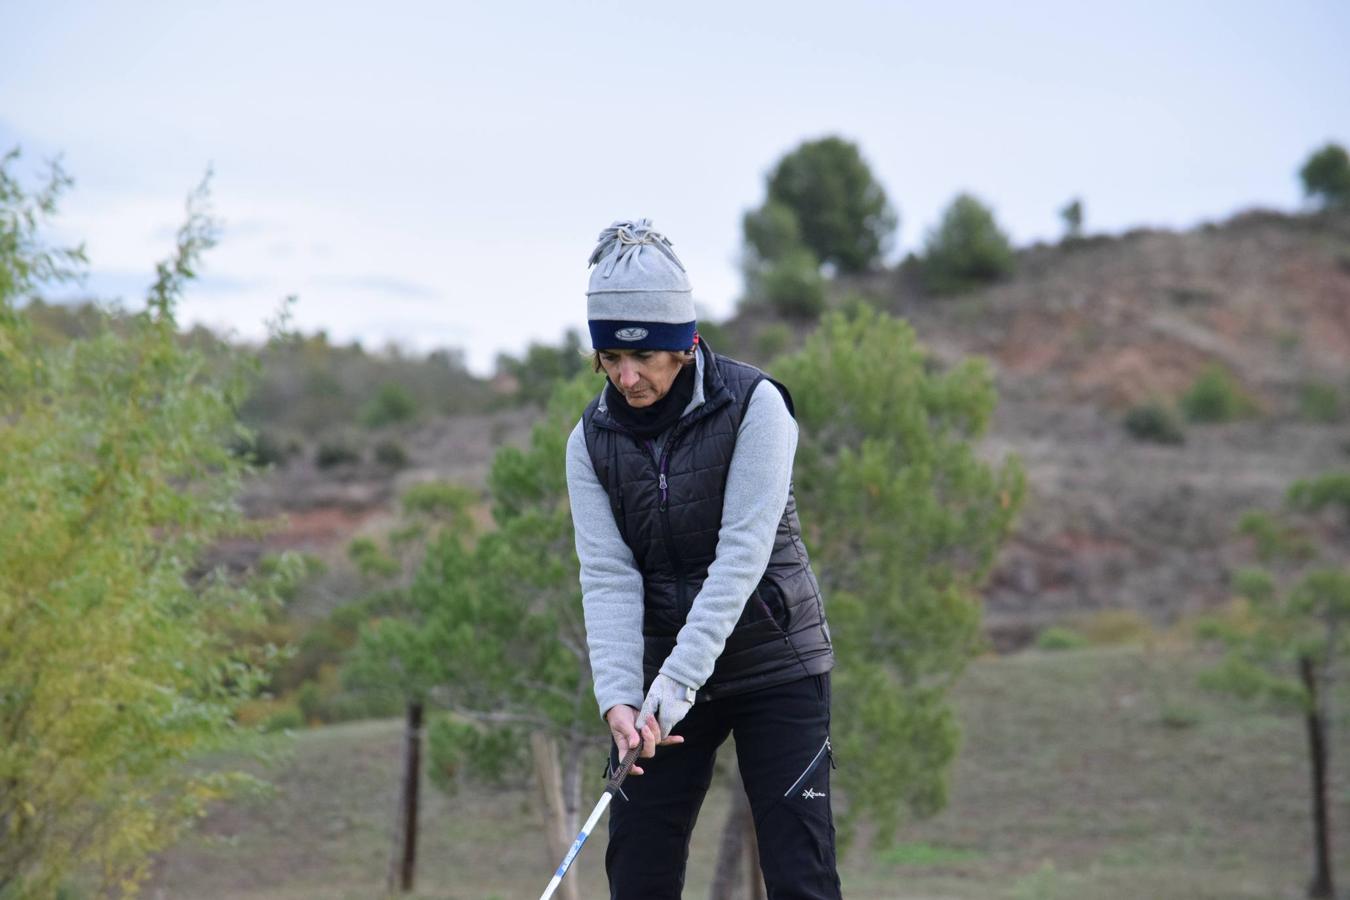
pixel 1083 333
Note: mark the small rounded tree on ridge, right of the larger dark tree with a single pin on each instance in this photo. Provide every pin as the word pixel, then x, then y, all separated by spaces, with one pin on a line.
pixel 967 249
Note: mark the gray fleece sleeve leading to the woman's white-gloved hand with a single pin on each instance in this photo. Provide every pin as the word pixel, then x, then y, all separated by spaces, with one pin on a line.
pixel 753 507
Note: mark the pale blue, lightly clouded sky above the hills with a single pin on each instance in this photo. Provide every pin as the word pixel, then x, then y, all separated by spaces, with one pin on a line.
pixel 434 175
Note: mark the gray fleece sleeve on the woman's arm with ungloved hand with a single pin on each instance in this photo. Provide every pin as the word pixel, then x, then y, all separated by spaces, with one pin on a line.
pixel 612 588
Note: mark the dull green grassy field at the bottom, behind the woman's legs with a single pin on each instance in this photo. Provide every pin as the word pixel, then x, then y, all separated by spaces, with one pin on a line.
pixel 1098 774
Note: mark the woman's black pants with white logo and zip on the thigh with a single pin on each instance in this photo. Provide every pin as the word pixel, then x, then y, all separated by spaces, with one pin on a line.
pixel 782 746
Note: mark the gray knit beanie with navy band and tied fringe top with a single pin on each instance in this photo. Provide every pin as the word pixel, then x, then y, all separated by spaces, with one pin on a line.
pixel 639 296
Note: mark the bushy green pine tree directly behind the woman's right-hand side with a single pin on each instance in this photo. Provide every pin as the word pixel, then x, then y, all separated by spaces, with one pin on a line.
pixel 904 523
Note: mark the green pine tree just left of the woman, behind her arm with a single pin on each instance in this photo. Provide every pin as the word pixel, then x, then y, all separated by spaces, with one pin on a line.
pixel 495 629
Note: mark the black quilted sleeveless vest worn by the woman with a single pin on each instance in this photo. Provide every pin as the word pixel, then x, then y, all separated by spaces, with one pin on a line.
pixel 669 511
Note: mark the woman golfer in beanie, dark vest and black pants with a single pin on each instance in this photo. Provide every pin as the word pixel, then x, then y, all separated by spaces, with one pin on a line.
pixel 703 615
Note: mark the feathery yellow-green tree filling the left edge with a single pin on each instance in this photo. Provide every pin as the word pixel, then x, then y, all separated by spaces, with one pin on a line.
pixel 115 651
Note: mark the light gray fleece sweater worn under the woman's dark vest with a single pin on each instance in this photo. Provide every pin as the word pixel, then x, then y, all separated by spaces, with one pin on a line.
pixel 612 586
